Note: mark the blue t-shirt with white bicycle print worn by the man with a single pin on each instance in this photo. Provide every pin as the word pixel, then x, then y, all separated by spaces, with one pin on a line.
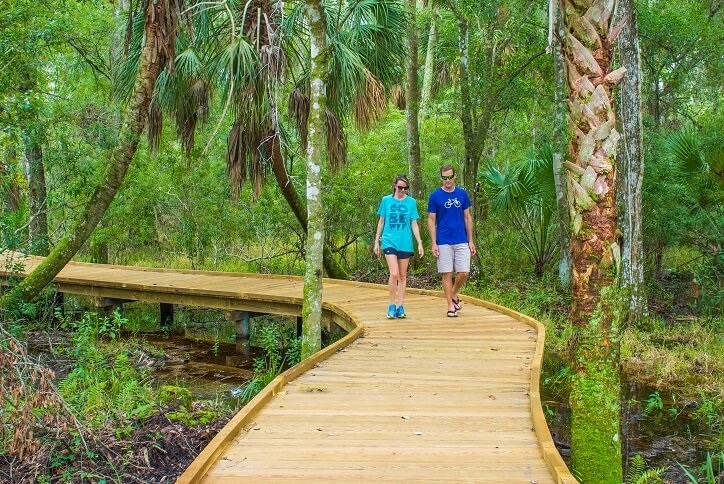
pixel 449 208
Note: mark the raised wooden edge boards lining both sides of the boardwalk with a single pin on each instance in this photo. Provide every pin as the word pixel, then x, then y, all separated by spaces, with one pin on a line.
pixel 355 328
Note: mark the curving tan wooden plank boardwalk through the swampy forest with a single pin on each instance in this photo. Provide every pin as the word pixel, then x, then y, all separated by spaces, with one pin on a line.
pixel 427 398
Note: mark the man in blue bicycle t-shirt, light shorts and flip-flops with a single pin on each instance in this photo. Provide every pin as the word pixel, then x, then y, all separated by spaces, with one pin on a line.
pixel 451 231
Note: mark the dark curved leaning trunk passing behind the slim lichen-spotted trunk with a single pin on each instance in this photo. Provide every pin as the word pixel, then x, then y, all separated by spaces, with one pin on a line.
pixel 296 203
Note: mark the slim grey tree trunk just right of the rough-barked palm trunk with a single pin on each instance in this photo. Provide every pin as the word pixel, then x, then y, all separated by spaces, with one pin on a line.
pixel 630 160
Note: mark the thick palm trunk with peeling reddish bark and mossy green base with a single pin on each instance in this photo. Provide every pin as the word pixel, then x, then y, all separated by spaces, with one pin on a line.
pixel 597 309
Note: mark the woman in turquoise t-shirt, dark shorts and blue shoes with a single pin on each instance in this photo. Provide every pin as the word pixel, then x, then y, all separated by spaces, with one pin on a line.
pixel 395 228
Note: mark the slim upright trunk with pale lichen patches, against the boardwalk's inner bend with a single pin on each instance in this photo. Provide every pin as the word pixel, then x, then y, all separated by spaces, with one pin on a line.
pixel 316 155
